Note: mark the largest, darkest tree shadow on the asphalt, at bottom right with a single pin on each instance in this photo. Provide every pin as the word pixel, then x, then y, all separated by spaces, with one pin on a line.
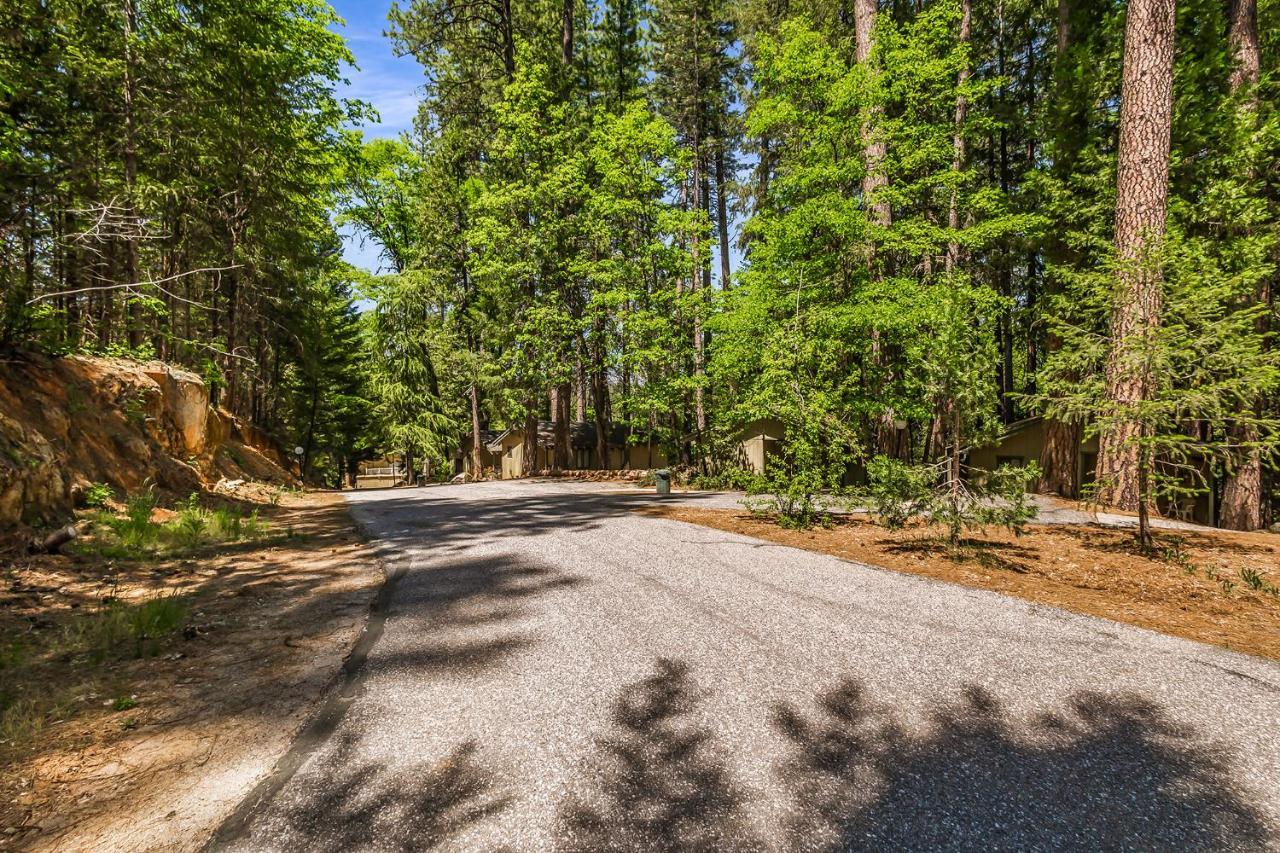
pixel 1103 773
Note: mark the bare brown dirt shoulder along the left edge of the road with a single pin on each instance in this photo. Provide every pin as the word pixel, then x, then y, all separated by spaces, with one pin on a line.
pixel 271 626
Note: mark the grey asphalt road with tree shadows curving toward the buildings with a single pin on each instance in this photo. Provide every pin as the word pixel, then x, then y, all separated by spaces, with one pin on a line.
pixel 557 672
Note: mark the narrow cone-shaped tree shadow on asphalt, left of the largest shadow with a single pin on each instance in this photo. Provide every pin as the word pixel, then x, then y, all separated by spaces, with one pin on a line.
pixel 664 784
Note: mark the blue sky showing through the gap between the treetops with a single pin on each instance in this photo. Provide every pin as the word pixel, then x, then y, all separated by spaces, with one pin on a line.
pixel 390 83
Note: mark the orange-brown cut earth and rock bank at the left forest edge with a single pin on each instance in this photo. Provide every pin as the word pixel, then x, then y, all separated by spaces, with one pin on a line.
pixel 71 422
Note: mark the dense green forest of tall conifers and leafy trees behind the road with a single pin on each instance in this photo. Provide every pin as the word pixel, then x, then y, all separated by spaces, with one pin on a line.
pixel 894 229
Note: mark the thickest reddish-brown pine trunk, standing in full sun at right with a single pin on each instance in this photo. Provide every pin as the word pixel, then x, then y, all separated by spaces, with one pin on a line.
pixel 1142 195
